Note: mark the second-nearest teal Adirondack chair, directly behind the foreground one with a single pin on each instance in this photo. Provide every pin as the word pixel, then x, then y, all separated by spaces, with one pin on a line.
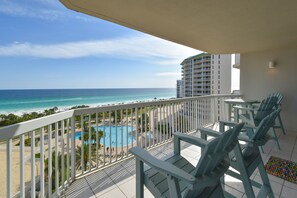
pixel 246 157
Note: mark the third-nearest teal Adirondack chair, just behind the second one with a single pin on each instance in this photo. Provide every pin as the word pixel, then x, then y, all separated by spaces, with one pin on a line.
pixel 253 116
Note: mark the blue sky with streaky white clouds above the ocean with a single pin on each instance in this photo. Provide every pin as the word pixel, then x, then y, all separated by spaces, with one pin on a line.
pixel 44 45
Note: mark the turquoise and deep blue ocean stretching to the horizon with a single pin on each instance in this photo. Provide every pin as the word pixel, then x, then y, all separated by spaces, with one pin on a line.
pixel 20 101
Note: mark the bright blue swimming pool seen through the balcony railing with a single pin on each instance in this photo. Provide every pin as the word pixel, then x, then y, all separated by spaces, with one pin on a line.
pixel 115 134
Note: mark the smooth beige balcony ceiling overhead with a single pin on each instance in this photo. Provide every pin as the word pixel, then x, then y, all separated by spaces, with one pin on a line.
pixel 229 26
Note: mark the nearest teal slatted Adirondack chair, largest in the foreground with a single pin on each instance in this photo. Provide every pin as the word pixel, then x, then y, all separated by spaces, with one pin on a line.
pixel 176 177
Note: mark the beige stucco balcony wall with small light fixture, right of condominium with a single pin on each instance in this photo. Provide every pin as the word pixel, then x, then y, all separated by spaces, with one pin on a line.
pixel 257 81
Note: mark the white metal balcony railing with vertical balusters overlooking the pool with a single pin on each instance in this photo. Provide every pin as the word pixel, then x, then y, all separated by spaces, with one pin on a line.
pixel 61 147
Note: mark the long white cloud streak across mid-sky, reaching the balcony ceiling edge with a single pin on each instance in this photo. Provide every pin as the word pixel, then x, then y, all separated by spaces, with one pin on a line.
pixel 144 47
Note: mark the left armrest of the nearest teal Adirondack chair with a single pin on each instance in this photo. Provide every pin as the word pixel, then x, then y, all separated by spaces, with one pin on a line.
pixel 162 166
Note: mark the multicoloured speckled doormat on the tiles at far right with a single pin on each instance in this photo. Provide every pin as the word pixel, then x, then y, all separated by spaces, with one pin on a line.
pixel 281 168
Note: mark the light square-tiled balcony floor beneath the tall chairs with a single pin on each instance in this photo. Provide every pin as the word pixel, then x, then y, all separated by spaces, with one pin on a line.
pixel 119 180
